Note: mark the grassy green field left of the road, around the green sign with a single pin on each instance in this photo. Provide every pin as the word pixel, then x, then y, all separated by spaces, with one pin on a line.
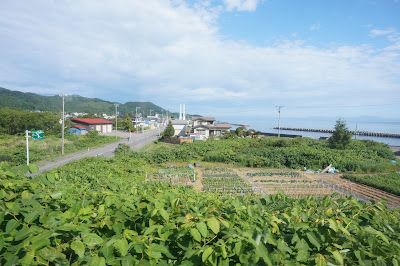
pixel 13 148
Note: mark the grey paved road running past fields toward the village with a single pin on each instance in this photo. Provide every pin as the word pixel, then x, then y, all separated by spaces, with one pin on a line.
pixel 135 142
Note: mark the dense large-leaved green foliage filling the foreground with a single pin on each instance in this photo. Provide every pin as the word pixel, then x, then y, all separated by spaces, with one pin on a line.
pixel 96 212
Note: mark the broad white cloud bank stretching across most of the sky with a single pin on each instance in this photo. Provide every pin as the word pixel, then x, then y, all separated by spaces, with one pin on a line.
pixel 169 53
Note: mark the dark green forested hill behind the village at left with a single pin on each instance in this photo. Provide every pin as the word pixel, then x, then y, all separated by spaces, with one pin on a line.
pixel 33 102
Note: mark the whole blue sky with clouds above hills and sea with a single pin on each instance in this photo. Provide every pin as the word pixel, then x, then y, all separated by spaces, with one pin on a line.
pixel 234 59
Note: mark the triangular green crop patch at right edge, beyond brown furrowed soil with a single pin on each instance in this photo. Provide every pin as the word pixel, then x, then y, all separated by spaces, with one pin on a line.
pixel 386 182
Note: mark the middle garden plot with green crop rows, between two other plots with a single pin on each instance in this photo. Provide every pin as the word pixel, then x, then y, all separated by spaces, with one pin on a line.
pixel 225 181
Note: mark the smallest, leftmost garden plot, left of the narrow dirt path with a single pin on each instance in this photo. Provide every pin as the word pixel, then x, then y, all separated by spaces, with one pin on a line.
pixel 175 175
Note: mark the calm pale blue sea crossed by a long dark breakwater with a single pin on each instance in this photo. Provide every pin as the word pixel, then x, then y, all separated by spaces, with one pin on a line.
pixel 267 124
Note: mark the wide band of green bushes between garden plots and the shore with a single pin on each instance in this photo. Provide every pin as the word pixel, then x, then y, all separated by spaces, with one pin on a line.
pixel 278 152
